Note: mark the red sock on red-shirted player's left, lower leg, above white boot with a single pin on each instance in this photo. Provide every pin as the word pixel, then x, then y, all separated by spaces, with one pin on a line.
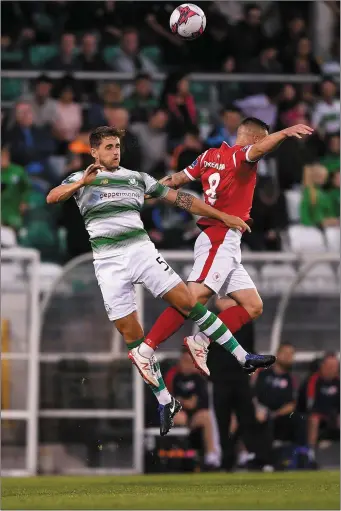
pixel 166 325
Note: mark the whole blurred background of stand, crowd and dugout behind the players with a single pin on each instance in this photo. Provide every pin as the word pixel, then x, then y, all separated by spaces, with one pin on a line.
pixel 71 403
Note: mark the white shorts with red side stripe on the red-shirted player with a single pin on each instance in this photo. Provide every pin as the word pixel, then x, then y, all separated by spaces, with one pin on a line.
pixel 217 262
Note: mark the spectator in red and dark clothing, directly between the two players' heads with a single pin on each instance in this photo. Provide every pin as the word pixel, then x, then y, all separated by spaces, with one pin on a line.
pixel 177 99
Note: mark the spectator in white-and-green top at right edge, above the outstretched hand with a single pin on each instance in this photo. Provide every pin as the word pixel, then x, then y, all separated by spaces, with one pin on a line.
pixel 326 115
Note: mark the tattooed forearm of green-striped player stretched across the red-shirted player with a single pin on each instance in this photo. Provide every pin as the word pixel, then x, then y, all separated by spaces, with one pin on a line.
pixel 198 207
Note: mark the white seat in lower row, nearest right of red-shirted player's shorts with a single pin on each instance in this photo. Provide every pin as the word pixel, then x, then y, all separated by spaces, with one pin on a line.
pixel 276 278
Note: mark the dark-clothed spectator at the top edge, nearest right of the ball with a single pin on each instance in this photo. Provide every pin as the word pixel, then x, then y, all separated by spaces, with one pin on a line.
pixel 250 38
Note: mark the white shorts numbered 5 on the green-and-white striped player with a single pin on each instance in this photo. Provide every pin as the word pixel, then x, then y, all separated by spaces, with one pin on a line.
pixel 138 264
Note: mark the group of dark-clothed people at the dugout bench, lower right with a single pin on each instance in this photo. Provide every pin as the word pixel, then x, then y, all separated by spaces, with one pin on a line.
pixel 288 418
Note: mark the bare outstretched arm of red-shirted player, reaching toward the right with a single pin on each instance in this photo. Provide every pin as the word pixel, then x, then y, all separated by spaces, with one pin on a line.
pixel 271 142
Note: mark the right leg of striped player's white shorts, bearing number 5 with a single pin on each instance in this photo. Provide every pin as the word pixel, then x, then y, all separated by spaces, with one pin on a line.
pixel 149 268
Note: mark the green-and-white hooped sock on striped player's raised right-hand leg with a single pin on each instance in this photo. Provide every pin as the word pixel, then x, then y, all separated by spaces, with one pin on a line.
pixel 215 330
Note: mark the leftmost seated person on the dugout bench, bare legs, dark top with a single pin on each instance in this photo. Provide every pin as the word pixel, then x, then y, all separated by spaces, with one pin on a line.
pixel 190 388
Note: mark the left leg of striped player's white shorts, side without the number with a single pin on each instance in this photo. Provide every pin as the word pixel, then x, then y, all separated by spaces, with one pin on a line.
pixel 116 286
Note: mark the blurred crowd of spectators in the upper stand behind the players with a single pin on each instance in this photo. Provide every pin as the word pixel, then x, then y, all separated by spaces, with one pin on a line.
pixel 45 129
